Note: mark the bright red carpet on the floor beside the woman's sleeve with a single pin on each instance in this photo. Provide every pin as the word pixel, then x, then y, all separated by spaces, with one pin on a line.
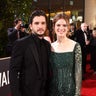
pixel 89 84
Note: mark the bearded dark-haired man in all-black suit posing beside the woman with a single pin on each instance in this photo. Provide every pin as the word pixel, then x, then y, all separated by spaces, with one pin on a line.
pixel 30 57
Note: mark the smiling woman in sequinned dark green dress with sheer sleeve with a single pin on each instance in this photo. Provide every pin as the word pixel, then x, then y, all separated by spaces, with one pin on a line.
pixel 65 61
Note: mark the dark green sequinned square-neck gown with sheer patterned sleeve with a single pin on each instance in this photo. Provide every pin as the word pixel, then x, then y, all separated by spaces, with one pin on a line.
pixel 66 73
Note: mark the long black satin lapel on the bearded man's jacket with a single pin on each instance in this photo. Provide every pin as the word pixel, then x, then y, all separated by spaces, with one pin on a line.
pixel 35 54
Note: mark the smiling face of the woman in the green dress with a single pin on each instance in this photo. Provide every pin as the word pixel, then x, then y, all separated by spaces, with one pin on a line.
pixel 61 27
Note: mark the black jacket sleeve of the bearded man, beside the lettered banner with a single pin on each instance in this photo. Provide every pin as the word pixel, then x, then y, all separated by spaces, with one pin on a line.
pixel 14 68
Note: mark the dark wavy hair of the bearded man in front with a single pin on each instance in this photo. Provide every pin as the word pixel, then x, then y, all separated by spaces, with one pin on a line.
pixel 37 13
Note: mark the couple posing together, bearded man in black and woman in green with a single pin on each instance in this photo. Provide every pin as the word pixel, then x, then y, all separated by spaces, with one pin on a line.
pixel 38 68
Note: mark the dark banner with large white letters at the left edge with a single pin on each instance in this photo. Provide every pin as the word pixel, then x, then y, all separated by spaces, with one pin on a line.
pixel 4 77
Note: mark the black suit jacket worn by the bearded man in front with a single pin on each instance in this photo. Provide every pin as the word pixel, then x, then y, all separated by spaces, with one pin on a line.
pixel 25 73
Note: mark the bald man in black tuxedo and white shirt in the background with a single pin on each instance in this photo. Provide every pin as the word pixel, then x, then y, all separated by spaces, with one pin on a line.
pixel 83 38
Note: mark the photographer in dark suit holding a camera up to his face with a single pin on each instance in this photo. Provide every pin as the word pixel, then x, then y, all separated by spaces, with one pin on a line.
pixel 17 32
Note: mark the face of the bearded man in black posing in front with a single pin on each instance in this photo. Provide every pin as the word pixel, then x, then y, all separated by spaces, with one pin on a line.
pixel 38 25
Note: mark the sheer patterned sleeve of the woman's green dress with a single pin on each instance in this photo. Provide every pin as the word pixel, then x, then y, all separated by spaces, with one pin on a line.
pixel 78 69
